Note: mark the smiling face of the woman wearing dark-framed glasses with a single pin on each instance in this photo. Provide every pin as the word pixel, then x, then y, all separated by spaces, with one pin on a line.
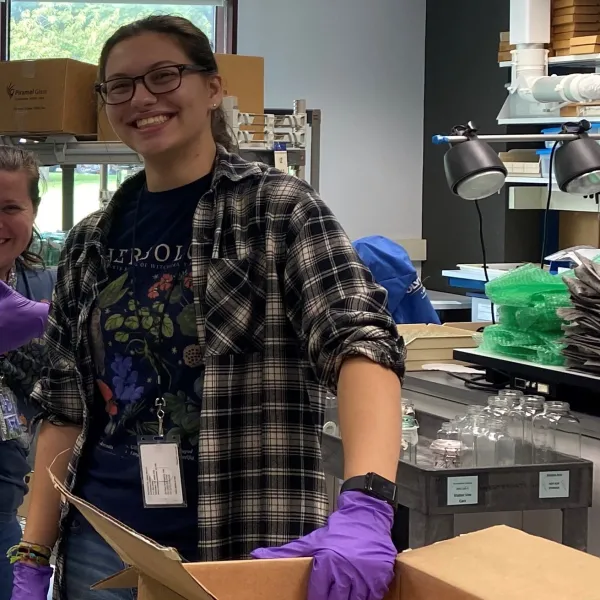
pixel 153 124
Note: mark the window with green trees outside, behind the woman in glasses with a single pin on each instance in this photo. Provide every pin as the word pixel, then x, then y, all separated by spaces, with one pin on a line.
pixel 42 29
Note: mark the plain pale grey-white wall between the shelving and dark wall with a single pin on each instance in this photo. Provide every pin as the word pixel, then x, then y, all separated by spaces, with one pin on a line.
pixel 361 62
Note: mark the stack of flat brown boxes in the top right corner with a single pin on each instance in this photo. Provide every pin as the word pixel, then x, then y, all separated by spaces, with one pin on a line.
pixel 572 19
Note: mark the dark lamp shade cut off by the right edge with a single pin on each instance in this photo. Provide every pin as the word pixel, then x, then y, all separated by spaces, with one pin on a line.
pixel 577 166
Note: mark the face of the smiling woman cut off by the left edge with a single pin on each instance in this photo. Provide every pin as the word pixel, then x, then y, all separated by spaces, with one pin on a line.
pixel 16 217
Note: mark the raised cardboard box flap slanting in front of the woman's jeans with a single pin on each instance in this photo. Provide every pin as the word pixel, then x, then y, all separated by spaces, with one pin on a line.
pixel 148 557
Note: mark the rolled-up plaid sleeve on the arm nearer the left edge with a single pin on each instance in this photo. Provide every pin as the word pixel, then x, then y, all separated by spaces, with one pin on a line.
pixel 57 393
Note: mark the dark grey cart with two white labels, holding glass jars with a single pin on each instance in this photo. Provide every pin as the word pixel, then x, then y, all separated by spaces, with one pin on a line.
pixel 432 497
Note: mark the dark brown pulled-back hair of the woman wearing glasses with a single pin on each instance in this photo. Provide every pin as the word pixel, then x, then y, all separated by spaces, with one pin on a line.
pixel 192 41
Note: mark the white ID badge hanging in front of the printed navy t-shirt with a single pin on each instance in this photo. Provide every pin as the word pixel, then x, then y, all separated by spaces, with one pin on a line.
pixel 160 469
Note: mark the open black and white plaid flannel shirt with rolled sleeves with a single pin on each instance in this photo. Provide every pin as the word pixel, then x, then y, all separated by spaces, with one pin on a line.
pixel 281 300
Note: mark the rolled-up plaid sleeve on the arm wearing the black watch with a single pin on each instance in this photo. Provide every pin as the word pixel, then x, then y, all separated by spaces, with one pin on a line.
pixel 331 298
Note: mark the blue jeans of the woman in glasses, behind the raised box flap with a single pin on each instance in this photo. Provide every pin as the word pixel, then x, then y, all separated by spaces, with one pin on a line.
pixel 88 560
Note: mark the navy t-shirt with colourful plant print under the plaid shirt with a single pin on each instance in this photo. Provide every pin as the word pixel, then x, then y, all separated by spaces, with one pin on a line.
pixel 133 345
